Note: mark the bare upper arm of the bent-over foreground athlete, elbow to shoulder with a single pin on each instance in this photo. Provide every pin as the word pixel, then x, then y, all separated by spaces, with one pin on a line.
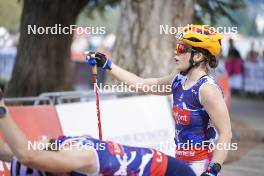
pixel 63 161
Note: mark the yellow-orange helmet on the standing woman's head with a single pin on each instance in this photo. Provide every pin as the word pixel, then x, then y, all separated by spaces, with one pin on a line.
pixel 201 36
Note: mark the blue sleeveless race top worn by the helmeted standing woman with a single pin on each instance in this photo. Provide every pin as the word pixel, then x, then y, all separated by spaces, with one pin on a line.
pixel 192 122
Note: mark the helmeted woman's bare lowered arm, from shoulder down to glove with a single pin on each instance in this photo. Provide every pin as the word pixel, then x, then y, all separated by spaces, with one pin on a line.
pixel 214 104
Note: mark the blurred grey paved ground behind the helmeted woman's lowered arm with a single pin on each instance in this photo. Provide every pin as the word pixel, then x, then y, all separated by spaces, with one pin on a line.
pixel 247 118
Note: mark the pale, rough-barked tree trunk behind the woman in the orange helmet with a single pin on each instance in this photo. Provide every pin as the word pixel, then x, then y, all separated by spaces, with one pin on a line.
pixel 140 46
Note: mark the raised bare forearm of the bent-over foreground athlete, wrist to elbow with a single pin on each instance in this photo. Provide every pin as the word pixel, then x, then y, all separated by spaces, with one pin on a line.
pixel 16 140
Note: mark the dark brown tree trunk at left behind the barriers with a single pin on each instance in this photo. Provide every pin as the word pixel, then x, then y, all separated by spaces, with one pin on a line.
pixel 42 62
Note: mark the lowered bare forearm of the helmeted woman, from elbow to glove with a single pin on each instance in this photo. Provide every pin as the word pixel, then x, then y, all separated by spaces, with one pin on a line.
pixel 222 147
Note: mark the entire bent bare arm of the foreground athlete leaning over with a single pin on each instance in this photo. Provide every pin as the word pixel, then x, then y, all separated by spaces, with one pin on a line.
pixel 61 161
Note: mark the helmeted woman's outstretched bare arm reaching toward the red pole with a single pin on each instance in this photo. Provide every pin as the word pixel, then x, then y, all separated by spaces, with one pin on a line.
pixel 157 86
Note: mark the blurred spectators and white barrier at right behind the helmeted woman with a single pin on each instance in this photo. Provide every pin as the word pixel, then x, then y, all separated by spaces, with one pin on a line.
pixel 245 74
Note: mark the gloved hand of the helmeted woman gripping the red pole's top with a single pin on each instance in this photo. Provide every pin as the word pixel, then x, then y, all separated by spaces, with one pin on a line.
pixel 99 59
